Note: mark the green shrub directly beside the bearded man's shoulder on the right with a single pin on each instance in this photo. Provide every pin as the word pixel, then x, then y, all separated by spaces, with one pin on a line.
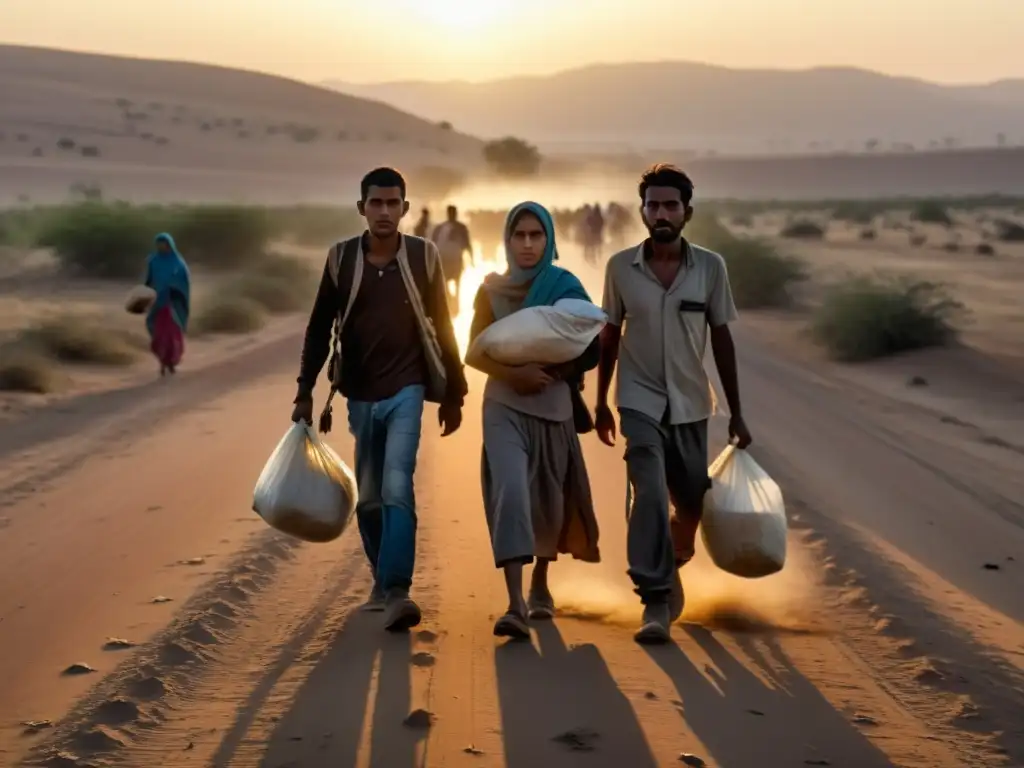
pixel 760 277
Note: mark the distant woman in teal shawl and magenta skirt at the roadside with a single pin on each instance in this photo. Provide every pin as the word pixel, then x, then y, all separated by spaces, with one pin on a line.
pixel 167 321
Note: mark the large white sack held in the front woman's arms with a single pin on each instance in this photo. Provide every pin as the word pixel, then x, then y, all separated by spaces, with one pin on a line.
pixel 546 335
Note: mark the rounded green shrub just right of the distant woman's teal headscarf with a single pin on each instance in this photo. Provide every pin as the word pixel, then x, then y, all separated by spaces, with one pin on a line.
pixel 222 237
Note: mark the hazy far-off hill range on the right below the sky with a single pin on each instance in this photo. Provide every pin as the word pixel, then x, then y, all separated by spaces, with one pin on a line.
pixel 679 105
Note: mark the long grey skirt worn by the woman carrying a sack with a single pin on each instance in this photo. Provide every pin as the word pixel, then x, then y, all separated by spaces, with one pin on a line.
pixel 536 490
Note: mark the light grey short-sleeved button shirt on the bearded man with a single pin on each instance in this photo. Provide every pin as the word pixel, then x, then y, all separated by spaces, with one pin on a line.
pixel 665 332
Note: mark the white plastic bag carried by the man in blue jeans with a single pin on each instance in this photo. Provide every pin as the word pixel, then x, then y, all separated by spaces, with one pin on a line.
pixel 306 490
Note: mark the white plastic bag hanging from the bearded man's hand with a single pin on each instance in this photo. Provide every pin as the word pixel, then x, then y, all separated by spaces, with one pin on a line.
pixel 744 526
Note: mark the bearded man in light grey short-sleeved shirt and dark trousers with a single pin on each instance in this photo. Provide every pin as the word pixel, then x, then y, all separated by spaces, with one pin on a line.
pixel 664 301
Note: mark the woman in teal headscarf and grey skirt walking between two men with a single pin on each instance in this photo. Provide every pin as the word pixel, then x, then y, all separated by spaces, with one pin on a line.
pixel 536 489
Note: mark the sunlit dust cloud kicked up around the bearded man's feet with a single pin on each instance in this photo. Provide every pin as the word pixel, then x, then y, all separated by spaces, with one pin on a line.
pixel 786 603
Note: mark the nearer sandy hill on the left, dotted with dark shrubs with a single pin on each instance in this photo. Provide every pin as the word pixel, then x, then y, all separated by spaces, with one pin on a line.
pixel 166 130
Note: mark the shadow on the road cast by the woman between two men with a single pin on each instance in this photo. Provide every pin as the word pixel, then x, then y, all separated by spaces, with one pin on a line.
pixel 562 707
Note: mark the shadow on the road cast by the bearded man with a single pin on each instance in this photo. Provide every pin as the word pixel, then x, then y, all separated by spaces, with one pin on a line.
pixel 748 724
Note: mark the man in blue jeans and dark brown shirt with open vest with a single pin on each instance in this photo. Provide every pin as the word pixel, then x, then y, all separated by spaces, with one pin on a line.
pixel 385 295
